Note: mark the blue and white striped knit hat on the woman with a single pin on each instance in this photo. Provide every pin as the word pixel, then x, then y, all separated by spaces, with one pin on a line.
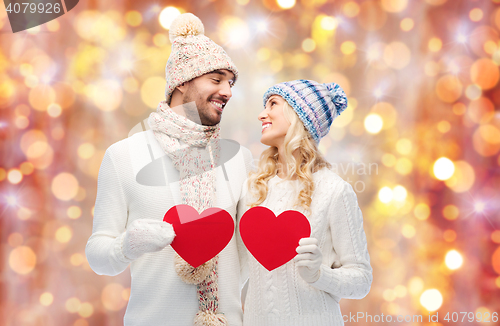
pixel 317 105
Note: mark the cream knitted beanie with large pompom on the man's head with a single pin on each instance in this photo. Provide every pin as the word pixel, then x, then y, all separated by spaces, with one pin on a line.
pixel 193 54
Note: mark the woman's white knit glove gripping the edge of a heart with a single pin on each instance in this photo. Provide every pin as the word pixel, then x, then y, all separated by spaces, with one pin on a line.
pixel 308 260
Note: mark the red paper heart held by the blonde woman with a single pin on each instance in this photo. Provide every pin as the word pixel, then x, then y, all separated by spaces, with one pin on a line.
pixel 273 240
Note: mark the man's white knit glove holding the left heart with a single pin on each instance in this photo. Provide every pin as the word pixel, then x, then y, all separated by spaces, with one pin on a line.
pixel 145 235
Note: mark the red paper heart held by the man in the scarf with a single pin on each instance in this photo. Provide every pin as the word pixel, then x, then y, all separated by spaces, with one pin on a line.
pixel 199 237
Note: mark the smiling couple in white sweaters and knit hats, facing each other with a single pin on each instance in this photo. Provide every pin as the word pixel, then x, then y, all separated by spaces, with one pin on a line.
pixel 128 218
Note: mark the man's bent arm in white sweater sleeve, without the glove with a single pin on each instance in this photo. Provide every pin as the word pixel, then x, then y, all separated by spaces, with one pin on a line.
pixel 104 247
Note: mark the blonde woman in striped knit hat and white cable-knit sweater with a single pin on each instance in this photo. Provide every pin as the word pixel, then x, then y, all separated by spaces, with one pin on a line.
pixel 334 262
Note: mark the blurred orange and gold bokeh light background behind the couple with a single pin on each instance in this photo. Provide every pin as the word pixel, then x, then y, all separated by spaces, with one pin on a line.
pixel 419 142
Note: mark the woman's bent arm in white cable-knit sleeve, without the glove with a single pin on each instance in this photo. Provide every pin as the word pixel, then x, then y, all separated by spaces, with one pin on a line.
pixel 353 279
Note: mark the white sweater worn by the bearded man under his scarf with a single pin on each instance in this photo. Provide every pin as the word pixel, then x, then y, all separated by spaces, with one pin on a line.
pixel 158 296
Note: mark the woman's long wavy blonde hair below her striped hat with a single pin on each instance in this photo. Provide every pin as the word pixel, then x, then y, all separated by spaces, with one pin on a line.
pixel 308 161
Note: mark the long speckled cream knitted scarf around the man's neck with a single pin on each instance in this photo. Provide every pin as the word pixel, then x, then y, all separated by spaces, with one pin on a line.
pixel 195 159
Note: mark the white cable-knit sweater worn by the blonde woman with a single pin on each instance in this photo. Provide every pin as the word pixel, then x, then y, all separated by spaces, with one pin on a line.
pixel 282 297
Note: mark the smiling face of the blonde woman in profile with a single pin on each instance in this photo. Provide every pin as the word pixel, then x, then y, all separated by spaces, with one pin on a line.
pixel 274 123
